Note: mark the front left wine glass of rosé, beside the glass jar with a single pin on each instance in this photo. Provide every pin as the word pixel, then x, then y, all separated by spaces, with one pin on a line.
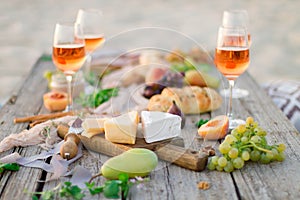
pixel 68 53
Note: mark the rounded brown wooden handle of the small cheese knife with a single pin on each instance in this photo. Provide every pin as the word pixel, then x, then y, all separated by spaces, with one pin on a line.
pixel 69 148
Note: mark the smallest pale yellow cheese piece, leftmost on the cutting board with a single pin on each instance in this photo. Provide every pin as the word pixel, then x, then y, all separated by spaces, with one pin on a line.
pixel 94 125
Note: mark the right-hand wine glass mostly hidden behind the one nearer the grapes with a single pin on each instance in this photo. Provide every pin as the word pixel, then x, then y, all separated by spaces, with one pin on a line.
pixel 236 18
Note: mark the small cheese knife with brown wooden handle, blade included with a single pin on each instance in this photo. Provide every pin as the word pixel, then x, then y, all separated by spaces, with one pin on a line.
pixel 69 148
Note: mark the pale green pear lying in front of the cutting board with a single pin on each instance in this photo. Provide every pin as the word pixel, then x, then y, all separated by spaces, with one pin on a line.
pixel 134 162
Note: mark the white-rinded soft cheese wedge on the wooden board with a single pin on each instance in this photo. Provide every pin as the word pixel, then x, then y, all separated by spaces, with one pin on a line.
pixel 159 126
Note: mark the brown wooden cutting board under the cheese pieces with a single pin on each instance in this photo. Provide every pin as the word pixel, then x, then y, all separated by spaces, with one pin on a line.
pixel 172 150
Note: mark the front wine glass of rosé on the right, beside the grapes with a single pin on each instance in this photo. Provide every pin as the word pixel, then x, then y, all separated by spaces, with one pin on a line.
pixel 232 59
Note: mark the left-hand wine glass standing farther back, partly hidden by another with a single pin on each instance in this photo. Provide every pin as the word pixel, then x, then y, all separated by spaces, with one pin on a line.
pixel 91 23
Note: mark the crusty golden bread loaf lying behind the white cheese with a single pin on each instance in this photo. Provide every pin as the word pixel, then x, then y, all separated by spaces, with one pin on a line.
pixel 190 99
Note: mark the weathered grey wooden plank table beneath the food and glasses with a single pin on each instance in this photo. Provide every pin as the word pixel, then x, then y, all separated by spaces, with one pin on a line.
pixel 277 180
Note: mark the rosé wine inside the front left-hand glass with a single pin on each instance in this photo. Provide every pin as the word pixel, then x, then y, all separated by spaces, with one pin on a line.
pixel 68 57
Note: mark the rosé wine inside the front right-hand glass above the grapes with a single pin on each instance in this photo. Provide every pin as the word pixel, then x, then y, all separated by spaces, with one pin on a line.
pixel 232 61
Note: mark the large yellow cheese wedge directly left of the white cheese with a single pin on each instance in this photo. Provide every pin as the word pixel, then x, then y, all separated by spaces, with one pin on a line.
pixel 122 129
